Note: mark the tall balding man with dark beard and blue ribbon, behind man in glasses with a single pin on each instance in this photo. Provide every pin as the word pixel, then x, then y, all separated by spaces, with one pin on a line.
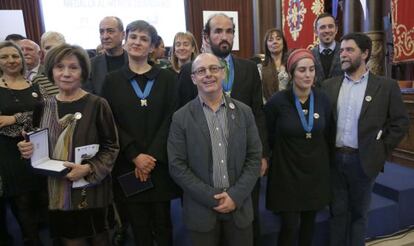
pixel 242 83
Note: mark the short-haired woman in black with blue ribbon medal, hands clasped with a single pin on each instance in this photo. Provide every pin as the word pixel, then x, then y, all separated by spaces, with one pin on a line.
pixel 143 98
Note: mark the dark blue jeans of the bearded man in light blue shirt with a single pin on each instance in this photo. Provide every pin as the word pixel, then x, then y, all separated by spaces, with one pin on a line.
pixel 351 189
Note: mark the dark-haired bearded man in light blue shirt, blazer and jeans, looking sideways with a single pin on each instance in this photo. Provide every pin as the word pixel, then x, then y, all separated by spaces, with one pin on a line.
pixel 370 119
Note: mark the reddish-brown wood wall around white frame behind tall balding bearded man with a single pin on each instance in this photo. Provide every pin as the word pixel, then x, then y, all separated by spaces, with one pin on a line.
pixel 194 15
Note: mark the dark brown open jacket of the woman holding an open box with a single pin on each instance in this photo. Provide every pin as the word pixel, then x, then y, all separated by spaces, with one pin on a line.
pixel 96 126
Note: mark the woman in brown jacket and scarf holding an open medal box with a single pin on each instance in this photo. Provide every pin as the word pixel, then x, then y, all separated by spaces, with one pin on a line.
pixel 75 118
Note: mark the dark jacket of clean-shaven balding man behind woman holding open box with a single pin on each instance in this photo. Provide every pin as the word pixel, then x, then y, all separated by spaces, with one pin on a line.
pixel 99 70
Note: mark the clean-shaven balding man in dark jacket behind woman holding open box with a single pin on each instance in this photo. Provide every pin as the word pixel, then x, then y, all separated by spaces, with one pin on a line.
pixel 111 33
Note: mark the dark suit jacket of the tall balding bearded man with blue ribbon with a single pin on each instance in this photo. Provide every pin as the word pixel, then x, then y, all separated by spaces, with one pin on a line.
pixel 247 88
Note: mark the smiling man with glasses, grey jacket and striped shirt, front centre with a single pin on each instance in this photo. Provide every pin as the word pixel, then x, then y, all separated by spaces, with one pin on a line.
pixel 214 154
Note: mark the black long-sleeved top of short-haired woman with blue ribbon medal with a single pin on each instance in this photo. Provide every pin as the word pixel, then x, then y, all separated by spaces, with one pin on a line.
pixel 143 129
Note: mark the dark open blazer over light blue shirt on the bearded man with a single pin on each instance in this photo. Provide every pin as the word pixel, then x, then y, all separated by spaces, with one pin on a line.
pixel 384 111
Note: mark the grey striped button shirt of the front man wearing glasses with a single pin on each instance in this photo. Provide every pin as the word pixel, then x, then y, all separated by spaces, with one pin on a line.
pixel 218 128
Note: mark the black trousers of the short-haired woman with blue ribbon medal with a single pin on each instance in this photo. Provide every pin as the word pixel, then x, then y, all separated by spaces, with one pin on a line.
pixel 150 222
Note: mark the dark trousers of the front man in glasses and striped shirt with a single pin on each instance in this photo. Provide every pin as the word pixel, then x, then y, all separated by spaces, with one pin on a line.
pixel 224 233
